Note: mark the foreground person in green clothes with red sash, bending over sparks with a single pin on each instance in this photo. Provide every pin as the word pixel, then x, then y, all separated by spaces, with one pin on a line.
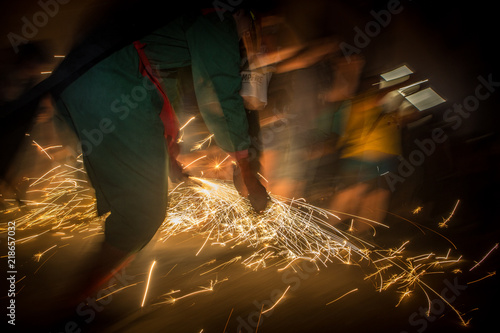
pixel 120 112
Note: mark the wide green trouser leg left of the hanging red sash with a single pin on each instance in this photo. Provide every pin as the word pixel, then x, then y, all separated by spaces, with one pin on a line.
pixel 115 112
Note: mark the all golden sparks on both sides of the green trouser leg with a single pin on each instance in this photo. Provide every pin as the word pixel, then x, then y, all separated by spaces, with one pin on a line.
pixel 290 230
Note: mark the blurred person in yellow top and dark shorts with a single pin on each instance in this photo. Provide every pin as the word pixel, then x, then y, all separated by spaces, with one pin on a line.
pixel 369 147
